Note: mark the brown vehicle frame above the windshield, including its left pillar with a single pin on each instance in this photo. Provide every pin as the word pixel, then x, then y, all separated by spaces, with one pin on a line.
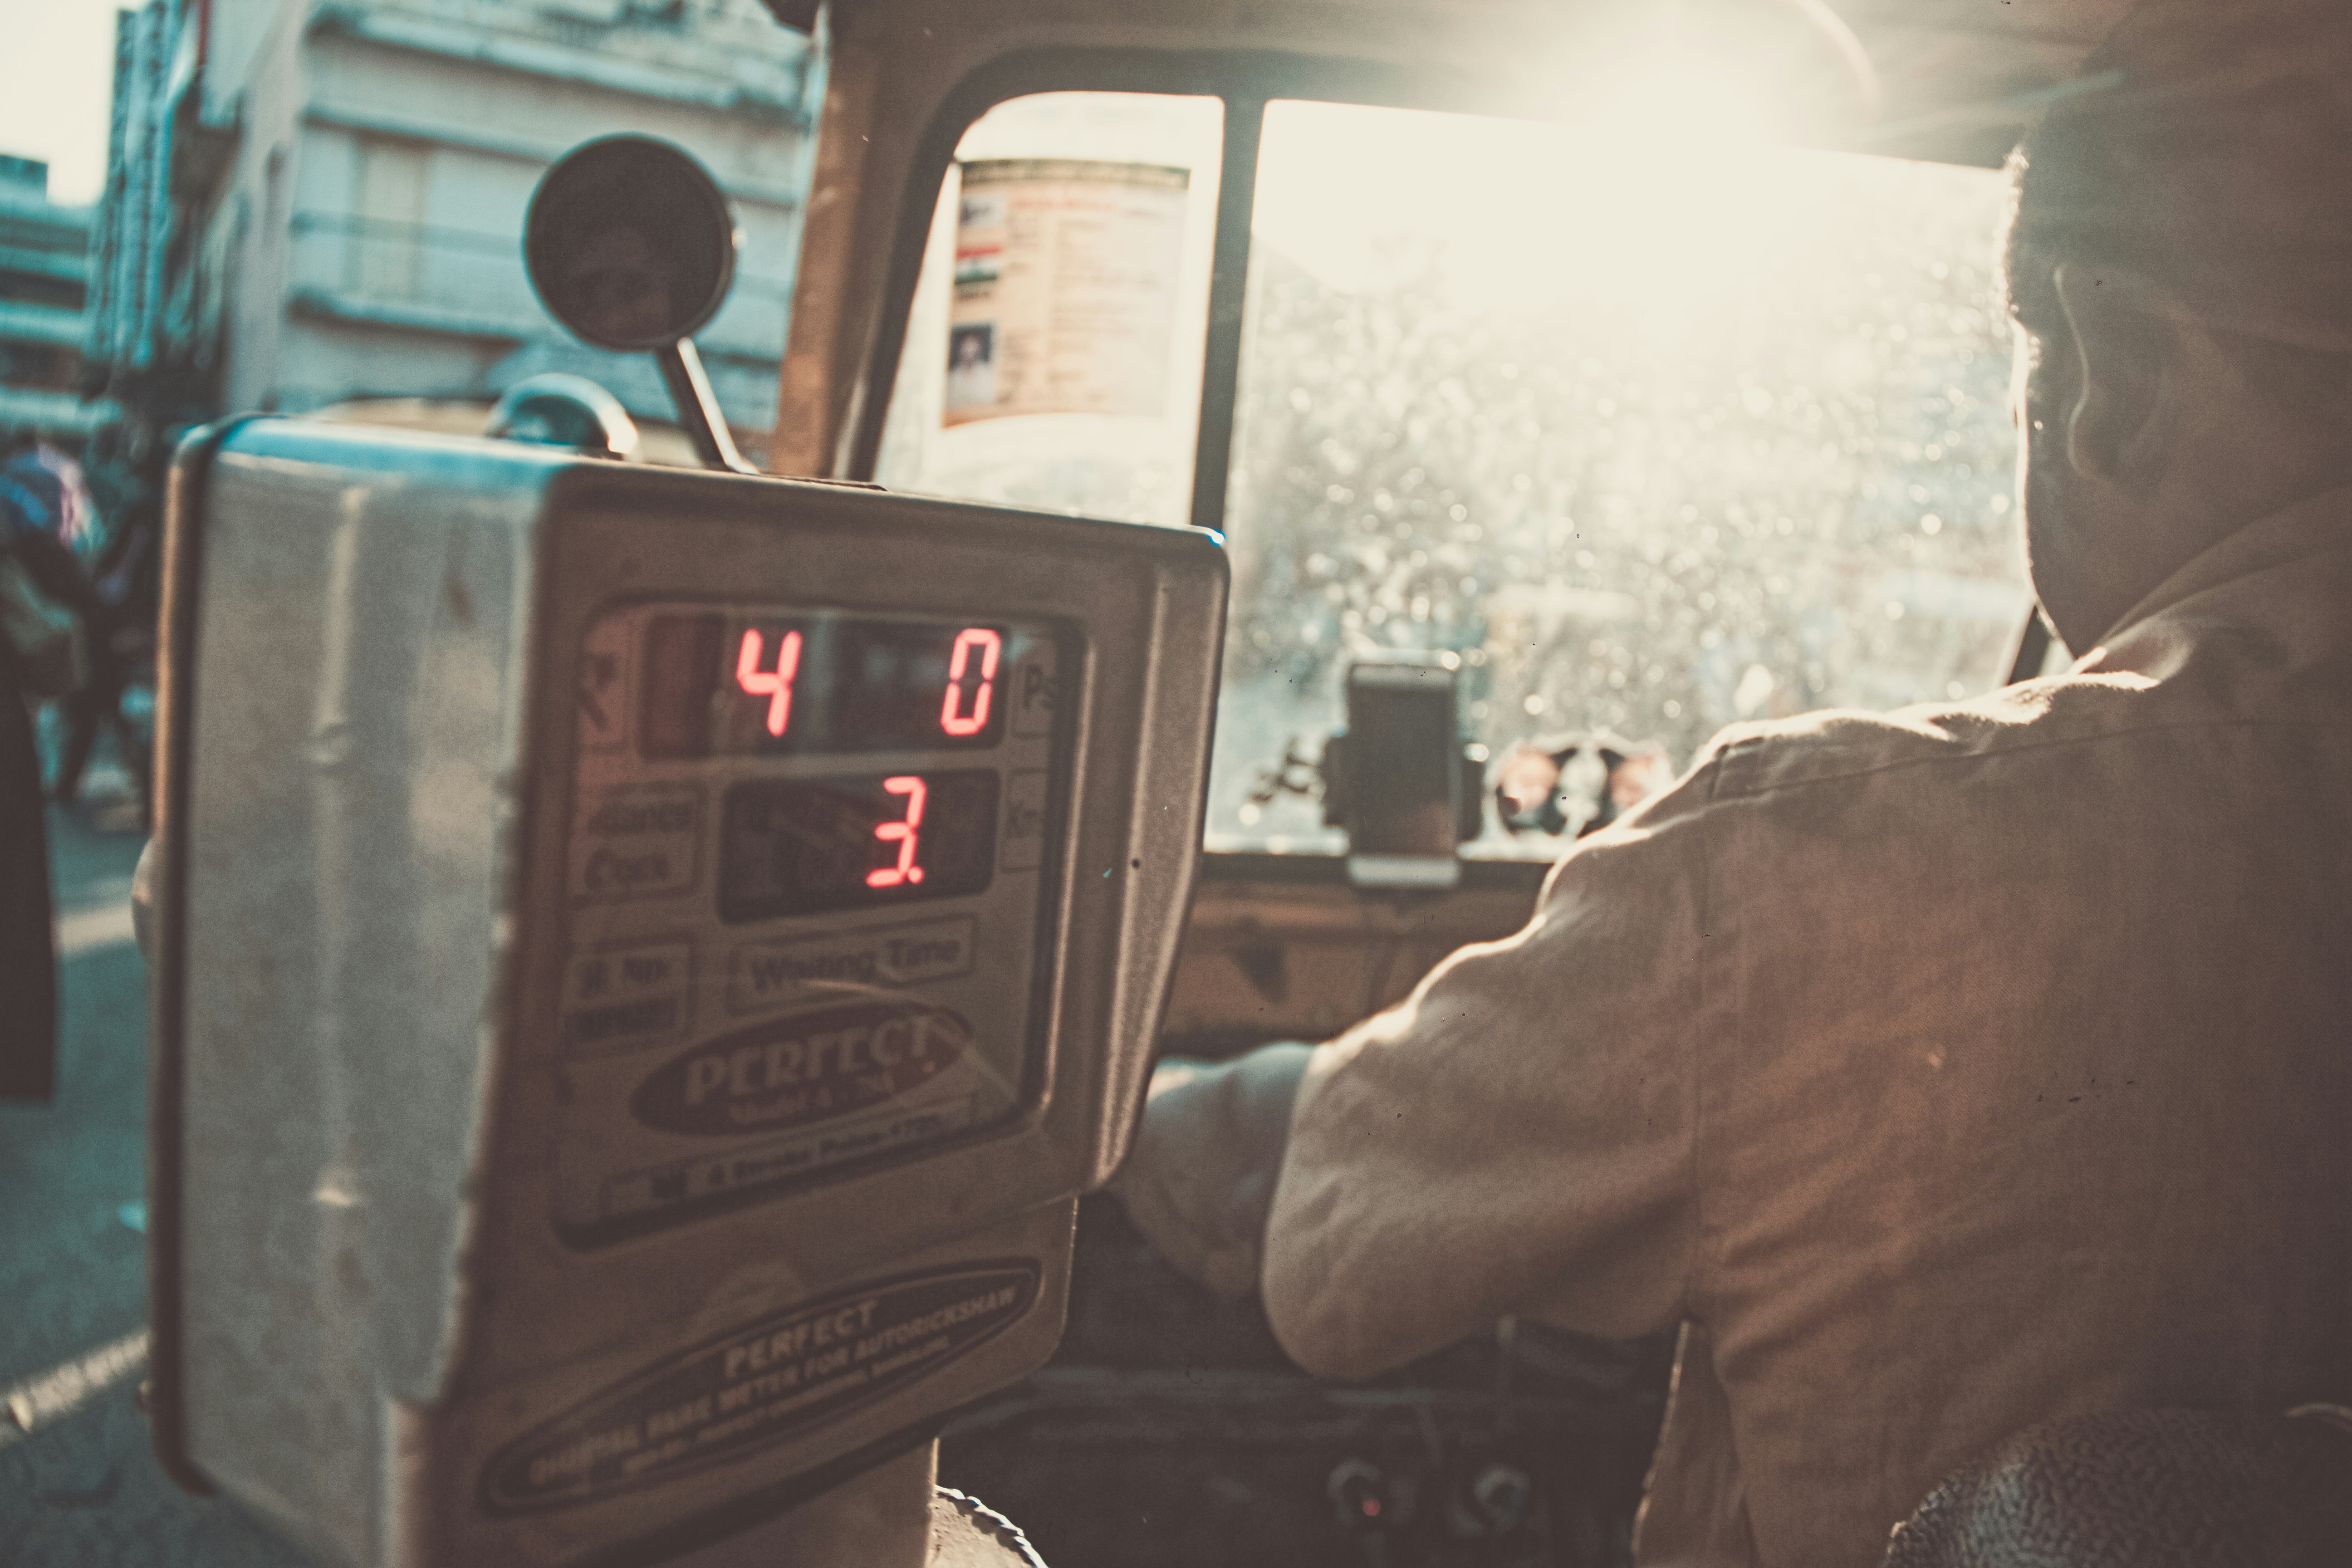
pixel 1951 81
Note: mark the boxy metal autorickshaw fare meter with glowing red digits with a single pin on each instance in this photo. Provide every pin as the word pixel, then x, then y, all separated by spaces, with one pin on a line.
pixel 646 965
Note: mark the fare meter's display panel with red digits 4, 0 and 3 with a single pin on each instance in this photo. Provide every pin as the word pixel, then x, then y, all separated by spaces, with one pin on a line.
pixel 808 897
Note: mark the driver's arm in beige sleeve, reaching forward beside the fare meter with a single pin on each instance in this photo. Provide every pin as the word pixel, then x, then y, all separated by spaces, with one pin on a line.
pixel 1514 1139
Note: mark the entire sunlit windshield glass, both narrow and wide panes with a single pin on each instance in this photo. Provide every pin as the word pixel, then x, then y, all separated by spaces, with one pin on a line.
pixel 1652 434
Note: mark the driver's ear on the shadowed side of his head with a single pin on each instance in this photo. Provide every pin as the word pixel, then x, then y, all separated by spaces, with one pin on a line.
pixel 2132 349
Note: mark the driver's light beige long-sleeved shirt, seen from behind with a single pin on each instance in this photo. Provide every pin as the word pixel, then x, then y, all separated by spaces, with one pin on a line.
pixel 1939 1073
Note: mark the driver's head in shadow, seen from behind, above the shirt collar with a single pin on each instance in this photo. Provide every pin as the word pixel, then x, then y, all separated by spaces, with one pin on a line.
pixel 2179 267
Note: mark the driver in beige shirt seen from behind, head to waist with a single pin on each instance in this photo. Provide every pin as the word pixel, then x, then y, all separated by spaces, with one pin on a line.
pixel 1960 1068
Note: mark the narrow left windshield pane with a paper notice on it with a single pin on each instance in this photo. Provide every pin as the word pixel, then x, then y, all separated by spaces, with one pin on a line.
pixel 1055 349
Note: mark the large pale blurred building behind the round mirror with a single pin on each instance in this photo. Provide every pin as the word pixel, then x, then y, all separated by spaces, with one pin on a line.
pixel 319 203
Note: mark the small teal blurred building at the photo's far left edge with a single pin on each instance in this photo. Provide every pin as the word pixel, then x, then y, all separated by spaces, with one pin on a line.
pixel 44 295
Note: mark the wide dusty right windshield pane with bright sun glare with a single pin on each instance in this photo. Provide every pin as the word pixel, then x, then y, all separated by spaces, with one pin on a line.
pixel 1652 443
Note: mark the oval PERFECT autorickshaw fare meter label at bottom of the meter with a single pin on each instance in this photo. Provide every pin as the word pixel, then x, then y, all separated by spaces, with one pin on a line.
pixel 761 1386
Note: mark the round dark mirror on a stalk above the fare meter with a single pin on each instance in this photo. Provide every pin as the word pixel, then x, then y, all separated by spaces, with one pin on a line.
pixel 629 243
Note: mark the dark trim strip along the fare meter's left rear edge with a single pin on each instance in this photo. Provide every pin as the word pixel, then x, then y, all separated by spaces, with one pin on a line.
pixel 168 967
